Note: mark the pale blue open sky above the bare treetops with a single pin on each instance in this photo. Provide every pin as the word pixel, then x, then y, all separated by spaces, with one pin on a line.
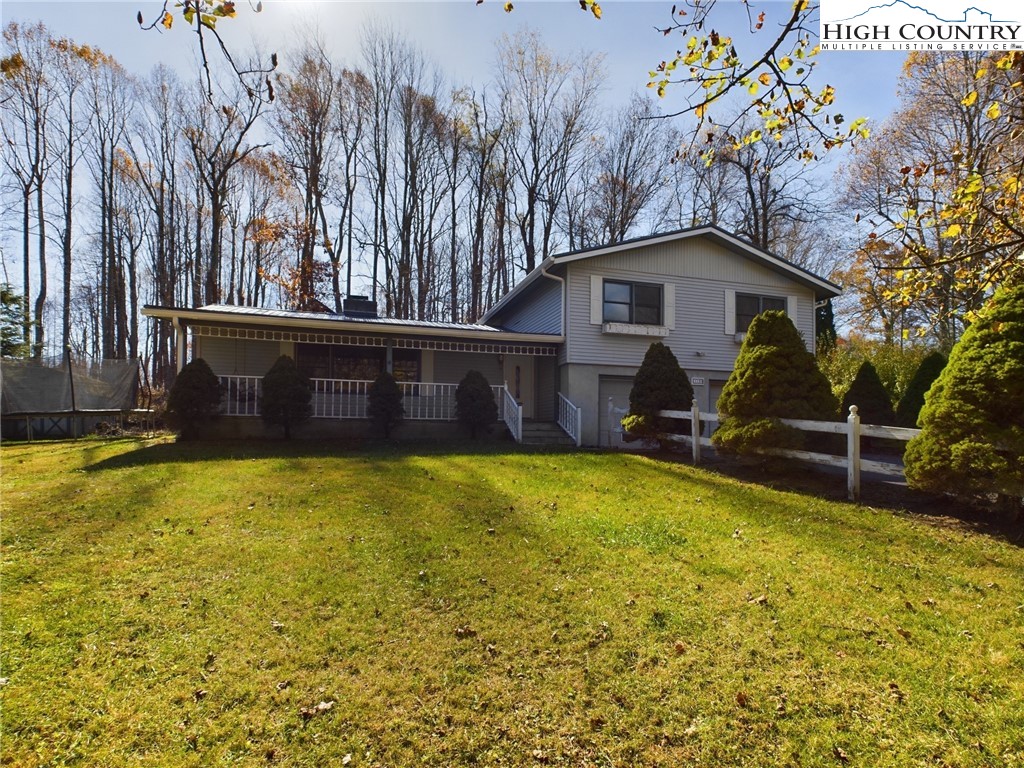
pixel 460 36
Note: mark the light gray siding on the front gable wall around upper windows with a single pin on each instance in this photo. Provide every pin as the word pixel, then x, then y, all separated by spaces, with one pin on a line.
pixel 703 275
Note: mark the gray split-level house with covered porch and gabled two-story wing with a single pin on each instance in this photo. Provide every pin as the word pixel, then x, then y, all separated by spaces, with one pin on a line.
pixel 563 347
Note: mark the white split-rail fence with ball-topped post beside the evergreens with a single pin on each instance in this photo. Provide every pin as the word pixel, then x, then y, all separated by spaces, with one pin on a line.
pixel 852 429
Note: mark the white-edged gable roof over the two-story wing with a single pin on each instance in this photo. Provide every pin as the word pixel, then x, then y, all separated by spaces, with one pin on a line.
pixel 823 288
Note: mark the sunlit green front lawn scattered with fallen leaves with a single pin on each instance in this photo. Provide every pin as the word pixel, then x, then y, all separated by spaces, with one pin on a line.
pixel 313 606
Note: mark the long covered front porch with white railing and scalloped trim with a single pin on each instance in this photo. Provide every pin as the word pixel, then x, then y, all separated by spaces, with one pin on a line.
pixel 343 356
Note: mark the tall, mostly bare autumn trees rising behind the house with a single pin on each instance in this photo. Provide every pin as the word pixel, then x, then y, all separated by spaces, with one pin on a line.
pixel 378 175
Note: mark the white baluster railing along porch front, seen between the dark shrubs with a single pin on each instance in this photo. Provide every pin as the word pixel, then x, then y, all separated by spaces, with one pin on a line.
pixel 347 399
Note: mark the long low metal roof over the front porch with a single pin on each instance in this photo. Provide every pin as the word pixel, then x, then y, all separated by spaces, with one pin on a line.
pixel 283 319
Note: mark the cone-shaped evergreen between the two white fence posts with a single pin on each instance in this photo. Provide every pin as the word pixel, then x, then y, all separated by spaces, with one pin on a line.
pixel 776 377
